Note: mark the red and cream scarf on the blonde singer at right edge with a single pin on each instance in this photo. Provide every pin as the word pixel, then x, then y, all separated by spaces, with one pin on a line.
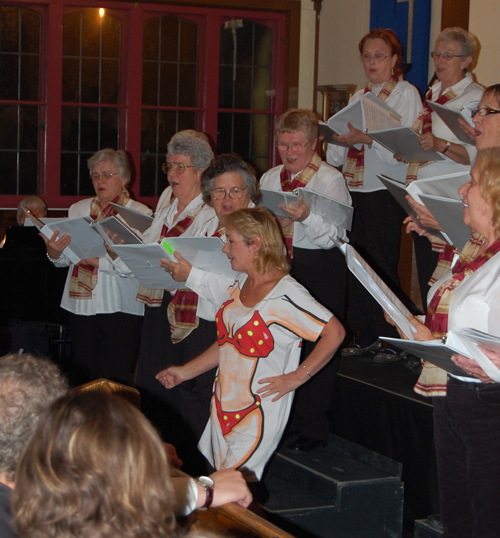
pixel 433 380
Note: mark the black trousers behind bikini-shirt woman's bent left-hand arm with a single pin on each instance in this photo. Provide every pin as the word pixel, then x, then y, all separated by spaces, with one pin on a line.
pixel 180 414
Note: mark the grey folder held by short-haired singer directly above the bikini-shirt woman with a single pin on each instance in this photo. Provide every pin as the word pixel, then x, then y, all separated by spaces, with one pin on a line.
pixel 331 210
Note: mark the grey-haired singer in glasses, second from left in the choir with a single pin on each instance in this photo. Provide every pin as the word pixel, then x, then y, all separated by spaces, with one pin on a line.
pixel 172 331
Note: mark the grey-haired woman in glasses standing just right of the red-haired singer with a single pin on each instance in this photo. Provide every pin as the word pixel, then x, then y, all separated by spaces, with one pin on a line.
pixel 454 54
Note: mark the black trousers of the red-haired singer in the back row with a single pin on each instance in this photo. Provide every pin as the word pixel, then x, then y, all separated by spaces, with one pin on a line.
pixel 376 235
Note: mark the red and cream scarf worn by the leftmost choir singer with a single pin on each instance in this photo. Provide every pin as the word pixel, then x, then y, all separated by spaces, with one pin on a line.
pixel 84 276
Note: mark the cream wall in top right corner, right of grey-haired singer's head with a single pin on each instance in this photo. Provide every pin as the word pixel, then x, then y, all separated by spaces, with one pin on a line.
pixel 484 24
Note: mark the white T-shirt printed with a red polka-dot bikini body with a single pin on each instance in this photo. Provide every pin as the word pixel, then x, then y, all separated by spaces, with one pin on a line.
pixel 255 343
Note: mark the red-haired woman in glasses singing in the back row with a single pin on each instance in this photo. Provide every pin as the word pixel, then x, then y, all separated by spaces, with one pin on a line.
pixel 376 229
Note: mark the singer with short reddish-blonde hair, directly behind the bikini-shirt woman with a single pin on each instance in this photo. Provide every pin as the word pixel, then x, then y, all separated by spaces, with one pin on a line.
pixel 316 263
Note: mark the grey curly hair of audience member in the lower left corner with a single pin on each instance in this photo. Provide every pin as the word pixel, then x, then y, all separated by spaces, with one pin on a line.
pixel 28 385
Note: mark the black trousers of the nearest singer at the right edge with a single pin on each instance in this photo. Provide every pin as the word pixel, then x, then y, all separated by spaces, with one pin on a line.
pixel 467 437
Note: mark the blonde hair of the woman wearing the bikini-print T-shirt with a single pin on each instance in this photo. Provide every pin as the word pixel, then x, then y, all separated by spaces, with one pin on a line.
pixel 257 221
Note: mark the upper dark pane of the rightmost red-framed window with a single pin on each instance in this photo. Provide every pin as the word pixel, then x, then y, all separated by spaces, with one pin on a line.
pixel 245 79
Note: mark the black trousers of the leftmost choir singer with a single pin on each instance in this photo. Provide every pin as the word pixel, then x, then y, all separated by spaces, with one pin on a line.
pixel 104 345
